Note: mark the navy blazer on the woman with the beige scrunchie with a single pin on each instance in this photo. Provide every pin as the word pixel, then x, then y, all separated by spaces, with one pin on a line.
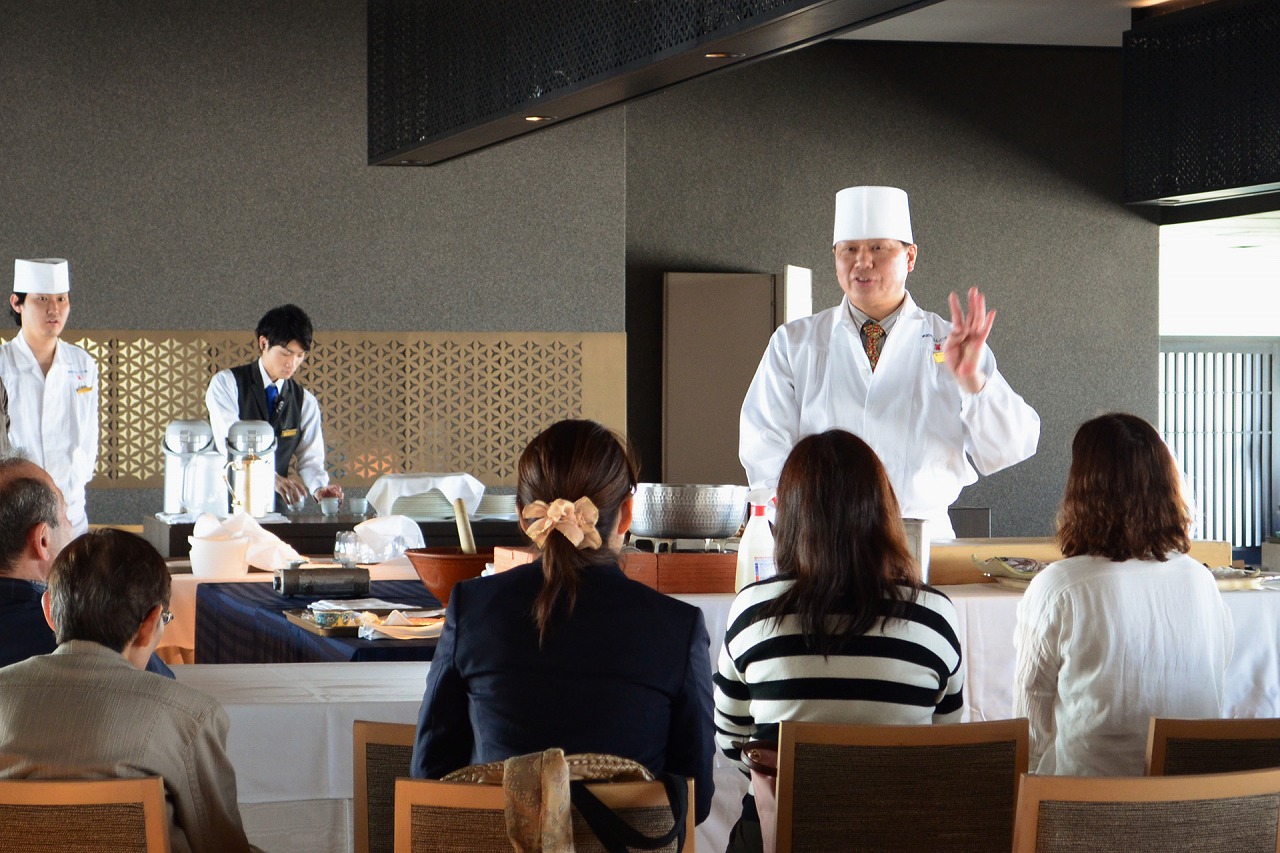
pixel 628 674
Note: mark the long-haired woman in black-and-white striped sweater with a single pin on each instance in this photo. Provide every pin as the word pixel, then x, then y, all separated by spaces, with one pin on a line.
pixel 847 632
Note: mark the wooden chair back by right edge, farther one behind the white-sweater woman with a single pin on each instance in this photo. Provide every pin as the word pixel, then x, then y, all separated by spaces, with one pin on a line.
pixel 1181 747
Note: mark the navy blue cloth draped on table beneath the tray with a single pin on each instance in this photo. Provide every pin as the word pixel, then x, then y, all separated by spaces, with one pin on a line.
pixel 245 624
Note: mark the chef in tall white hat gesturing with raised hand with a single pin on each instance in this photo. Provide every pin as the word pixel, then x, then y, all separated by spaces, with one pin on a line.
pixel 924 393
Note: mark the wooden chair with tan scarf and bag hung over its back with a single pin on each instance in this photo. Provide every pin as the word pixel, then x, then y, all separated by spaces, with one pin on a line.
pixel 465 818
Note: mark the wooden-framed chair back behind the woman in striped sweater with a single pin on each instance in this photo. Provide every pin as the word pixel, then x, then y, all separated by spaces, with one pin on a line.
pixel 899 788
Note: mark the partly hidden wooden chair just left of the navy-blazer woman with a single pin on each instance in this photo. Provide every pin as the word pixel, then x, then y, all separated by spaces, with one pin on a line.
pixel 383 755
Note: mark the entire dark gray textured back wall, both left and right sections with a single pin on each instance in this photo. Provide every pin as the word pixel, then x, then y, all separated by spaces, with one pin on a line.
pixel 200 162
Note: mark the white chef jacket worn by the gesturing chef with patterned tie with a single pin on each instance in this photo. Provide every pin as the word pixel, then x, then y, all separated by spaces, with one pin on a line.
pixel 816 376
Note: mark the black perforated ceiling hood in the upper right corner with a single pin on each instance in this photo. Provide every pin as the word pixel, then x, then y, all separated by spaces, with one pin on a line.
pixel 1203 104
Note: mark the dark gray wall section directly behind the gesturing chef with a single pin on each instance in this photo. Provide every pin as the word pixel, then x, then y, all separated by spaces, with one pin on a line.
pixel 1012 158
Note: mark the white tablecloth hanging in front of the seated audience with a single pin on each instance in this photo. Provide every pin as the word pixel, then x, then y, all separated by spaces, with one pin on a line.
pixel 291 724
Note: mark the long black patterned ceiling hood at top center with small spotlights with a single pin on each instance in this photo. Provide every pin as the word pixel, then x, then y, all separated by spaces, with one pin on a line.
pixel 450 77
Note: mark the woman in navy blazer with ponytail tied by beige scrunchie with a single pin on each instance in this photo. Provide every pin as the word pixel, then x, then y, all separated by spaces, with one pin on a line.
pixel 568 651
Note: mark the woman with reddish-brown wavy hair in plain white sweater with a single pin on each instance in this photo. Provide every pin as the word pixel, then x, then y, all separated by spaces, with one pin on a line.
pixel 1127 627
